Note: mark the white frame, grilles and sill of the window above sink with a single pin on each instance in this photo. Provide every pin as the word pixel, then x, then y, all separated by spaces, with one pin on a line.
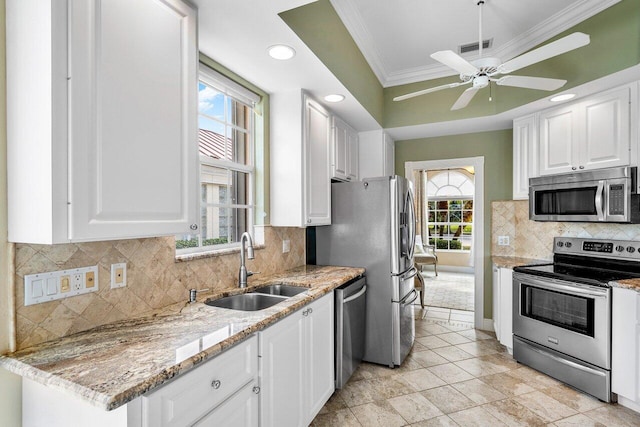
pixel 236 92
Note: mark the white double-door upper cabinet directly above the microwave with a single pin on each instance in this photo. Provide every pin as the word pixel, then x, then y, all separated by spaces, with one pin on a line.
pixel 589 134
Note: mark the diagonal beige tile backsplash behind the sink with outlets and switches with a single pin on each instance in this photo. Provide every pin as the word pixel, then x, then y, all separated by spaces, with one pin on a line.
pixel 154 279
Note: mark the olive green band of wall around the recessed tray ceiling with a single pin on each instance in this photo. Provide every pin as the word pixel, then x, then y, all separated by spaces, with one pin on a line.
pixel 615 45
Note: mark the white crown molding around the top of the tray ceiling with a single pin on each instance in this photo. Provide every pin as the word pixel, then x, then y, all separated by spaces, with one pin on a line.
pixel 561 21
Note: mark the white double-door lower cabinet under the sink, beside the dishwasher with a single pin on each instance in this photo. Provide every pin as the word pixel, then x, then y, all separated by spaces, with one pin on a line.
pixel 297 365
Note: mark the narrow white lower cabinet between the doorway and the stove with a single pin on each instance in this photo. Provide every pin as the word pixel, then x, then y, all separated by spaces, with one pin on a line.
pixel 503 306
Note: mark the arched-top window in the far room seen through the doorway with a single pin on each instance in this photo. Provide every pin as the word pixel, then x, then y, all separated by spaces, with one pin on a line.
pixel 450 209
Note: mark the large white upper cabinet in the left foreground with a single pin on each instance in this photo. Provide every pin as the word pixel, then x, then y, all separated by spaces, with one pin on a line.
pixel 109 151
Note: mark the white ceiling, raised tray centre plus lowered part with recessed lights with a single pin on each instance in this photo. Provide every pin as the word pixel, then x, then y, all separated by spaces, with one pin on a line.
pixel 396 37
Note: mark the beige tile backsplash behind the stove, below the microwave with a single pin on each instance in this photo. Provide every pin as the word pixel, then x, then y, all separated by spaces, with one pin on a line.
pixel 533 239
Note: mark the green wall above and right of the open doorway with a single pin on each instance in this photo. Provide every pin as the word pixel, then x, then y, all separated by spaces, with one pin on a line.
pixel 497 149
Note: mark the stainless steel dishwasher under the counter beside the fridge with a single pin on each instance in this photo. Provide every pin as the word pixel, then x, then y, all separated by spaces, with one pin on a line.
pixel 350 300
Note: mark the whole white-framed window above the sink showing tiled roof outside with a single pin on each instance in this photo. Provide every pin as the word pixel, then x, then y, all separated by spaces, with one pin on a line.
pixel 226 140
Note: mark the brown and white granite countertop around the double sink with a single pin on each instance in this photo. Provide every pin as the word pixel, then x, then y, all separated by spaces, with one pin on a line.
pixel 113 364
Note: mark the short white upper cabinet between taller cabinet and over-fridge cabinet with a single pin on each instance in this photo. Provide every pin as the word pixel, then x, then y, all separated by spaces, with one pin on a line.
pixel 344 151
